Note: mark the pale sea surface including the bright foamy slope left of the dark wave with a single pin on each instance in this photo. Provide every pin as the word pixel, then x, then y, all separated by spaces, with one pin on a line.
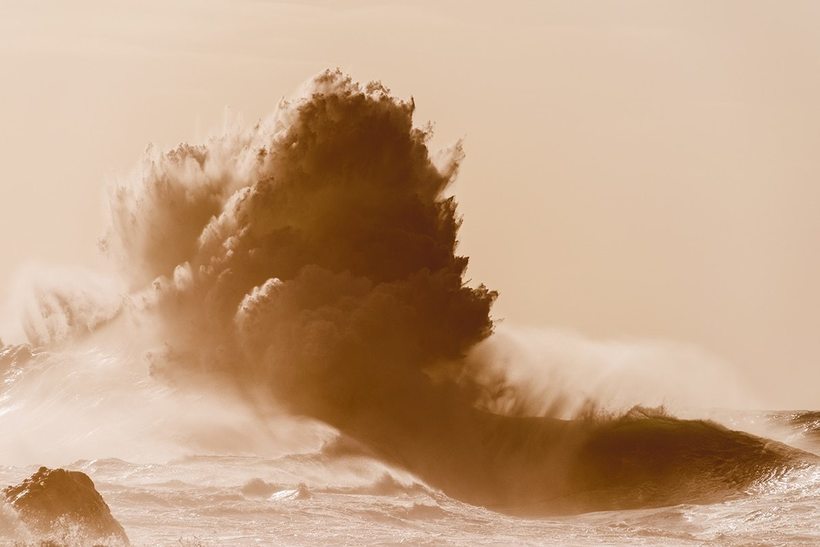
pixel 324 489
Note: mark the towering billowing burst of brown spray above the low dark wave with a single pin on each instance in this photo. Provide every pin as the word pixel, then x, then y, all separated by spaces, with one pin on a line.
pixel 314 254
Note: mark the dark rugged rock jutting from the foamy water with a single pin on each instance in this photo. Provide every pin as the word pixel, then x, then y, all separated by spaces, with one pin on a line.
pixel 56 504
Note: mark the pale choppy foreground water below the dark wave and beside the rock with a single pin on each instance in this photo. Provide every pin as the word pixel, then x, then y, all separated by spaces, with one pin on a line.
pixel 314 498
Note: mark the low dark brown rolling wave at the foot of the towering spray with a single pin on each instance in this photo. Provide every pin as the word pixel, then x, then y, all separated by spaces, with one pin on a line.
pixel 534 466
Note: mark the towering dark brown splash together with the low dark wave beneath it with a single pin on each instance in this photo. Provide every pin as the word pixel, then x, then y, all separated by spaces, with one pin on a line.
pixel 310 263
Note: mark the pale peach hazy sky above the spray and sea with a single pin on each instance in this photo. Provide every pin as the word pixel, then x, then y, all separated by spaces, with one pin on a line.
pixel 638 169
